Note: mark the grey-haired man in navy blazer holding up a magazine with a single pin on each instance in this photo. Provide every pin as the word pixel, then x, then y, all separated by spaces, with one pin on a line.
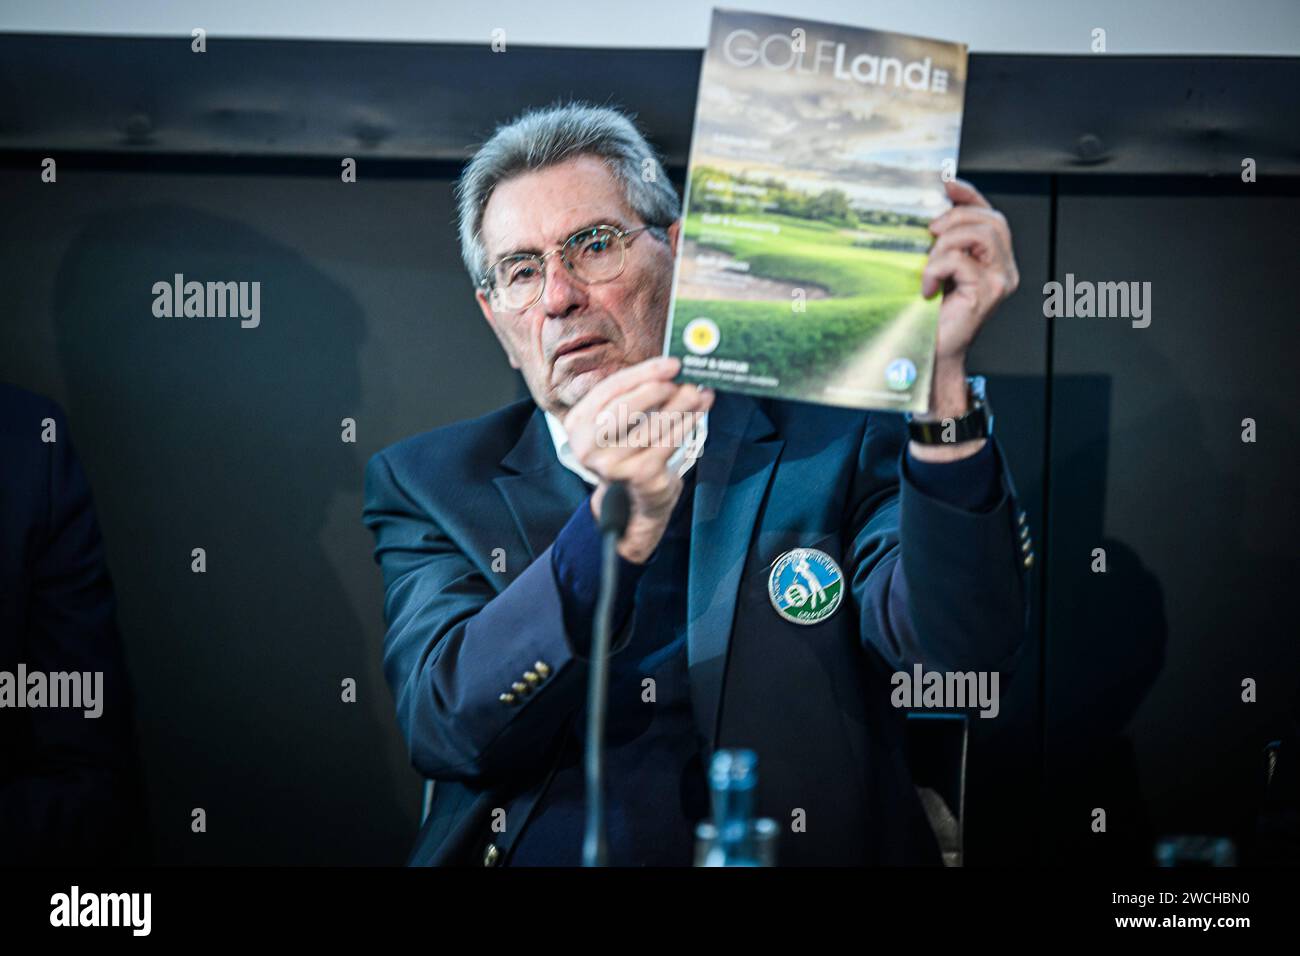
pixel 487 537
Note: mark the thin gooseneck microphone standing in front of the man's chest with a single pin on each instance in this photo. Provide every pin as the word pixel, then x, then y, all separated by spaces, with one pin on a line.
pixel 616 511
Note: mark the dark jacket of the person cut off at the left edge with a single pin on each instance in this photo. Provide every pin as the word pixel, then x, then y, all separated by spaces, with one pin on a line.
pixel 68 785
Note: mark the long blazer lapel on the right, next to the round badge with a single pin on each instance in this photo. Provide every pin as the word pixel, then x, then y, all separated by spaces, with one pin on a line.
pixel 735 471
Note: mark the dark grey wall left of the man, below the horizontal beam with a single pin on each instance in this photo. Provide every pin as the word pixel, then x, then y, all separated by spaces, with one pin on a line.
pixel 203 435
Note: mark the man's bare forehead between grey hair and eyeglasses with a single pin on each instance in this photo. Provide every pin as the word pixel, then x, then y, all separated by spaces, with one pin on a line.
pixel 538 210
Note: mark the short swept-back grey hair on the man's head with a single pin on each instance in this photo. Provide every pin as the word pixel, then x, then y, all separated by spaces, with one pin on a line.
pixel 545 137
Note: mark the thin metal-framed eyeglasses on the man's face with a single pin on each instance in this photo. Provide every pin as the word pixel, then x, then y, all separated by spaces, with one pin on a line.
pixel 592 256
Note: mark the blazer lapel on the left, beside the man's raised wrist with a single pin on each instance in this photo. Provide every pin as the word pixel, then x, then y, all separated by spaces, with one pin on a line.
pixel 540 492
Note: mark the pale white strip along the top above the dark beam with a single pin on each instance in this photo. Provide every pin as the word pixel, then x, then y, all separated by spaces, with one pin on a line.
pixel 1258 28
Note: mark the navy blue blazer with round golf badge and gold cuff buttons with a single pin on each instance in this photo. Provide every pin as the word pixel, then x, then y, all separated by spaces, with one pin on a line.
pixel 930 585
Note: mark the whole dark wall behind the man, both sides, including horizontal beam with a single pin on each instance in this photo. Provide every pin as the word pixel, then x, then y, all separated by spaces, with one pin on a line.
pixel 198 434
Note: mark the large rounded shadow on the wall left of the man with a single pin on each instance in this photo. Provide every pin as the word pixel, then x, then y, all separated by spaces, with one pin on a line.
pixel 201 434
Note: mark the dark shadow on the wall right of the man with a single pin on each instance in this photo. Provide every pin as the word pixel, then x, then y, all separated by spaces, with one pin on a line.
pixel 1107 643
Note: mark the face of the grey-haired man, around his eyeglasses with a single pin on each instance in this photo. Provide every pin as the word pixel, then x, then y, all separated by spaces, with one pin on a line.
pixel 577 335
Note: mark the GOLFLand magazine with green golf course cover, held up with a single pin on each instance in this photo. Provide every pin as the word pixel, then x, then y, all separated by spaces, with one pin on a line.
pixel 817 163
